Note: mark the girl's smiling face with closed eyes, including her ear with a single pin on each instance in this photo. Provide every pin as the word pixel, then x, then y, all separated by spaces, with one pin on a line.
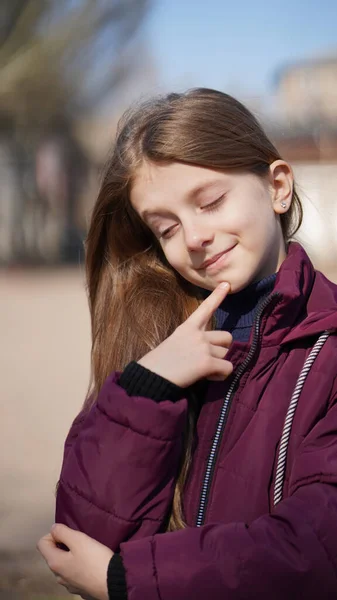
pixel 215 226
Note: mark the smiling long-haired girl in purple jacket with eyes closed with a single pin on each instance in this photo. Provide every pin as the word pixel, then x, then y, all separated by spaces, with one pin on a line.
pixel 207 461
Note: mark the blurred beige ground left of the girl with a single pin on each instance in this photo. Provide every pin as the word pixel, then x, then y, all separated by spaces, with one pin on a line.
pixel 44 366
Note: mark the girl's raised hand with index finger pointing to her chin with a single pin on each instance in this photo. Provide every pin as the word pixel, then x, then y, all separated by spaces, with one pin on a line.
pixel 192 352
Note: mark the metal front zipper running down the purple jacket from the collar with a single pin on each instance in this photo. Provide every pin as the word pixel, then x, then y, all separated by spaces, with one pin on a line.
pixel 208 478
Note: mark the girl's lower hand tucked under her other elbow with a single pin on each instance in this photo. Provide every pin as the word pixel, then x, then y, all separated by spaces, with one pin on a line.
pixel 82 570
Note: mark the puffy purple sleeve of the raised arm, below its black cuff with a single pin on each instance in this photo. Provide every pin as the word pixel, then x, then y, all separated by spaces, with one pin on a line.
pixel 120 466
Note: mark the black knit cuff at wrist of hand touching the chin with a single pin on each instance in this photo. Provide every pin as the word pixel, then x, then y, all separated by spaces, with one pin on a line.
pixel 139 381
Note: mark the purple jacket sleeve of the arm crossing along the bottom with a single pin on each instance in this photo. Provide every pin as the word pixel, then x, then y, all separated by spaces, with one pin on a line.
pixel 287 554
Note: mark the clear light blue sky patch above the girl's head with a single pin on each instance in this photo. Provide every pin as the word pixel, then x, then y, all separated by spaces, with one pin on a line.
pixel 236 46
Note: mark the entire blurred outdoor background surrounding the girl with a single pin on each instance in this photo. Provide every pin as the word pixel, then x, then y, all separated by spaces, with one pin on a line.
pixel 68 68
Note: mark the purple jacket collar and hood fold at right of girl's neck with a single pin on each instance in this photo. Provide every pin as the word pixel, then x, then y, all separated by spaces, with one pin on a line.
pixel 305 301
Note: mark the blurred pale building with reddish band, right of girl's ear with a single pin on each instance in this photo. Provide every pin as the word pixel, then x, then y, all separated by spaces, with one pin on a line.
pixel 304 130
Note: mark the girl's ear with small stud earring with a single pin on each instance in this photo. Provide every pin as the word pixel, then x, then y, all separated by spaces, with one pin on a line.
pixel 282 183
